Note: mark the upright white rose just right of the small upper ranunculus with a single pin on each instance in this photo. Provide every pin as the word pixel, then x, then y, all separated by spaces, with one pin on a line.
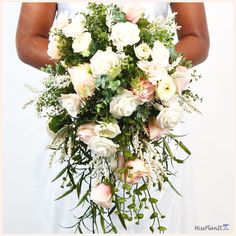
pixel 160 54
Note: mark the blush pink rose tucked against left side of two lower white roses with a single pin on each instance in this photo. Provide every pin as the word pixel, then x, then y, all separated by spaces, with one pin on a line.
pixel 86 131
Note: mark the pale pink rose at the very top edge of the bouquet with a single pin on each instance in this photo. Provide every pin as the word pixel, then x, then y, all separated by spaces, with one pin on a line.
pixel 133 12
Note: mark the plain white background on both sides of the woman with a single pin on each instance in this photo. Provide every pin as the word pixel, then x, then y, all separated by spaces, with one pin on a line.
pixel 211 136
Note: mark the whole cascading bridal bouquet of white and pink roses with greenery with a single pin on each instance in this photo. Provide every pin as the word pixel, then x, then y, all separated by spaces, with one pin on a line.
pixel 112 101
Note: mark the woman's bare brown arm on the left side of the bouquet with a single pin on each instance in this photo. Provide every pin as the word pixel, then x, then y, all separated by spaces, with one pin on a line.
pixel 32 33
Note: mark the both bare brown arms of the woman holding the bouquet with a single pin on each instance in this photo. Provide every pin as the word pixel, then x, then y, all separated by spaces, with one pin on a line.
pixel 36 19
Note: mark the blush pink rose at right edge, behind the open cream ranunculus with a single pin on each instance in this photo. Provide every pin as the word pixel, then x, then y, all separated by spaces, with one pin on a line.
pixel 181 78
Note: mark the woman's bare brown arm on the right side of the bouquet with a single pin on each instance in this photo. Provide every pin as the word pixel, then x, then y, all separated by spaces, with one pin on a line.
pixel 193 36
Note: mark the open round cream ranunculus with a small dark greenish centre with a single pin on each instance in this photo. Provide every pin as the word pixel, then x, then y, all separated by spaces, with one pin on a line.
pixel 166 89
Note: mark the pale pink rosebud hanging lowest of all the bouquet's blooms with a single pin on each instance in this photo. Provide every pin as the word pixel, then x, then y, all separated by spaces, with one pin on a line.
pixel 102 195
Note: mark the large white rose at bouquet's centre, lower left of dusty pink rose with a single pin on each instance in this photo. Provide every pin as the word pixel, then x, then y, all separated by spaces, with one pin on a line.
pixel 124 104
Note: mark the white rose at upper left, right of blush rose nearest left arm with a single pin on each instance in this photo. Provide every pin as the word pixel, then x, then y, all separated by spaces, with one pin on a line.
pixel 81 43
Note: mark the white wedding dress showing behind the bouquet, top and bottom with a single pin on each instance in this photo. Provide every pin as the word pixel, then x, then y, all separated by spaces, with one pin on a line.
pixel 176 208
